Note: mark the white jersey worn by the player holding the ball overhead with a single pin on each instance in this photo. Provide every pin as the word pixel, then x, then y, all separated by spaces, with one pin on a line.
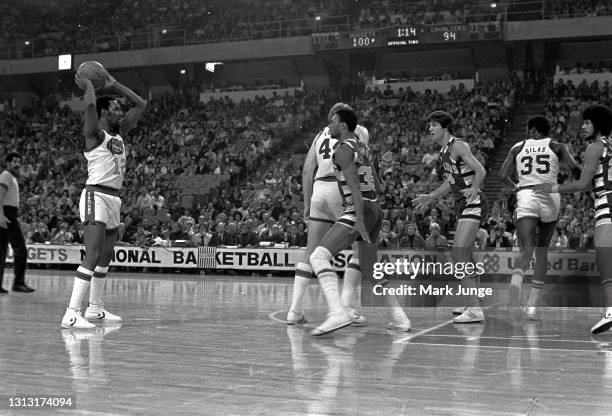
pixel 106 164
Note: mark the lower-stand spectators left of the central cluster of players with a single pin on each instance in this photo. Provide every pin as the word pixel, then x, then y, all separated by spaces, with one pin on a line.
pixel 177 136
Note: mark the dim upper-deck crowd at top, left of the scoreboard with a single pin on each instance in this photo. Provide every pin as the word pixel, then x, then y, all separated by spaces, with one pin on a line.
pixel 52 27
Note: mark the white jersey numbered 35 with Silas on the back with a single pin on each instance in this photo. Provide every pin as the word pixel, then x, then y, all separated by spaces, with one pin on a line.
pixel 536 163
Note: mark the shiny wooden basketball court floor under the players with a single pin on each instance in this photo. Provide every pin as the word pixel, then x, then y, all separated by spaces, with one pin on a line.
pixel 211 345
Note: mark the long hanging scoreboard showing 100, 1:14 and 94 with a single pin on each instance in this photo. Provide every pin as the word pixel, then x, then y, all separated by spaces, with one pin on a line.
pixel 407 36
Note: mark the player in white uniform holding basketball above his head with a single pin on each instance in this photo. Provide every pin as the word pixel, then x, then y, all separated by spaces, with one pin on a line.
pixel 104 126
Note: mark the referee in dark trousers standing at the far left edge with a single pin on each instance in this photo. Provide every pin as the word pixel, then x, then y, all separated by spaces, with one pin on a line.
pixel 10 231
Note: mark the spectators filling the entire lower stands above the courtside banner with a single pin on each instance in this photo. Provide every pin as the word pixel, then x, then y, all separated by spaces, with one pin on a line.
pixel 261 200
